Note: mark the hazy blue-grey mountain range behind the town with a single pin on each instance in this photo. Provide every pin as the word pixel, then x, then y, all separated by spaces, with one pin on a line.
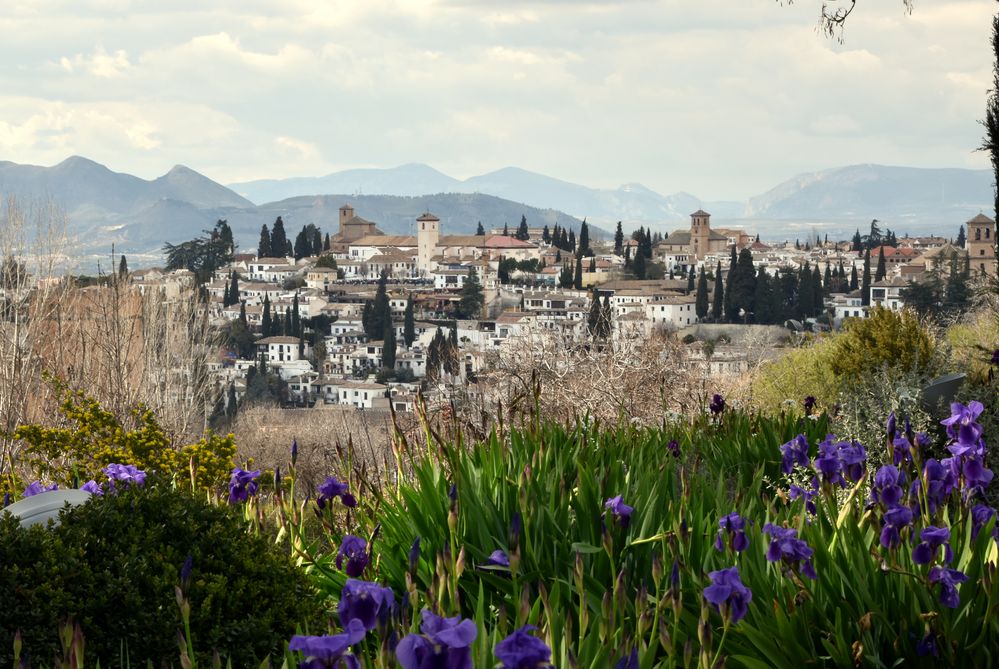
pixel 137 215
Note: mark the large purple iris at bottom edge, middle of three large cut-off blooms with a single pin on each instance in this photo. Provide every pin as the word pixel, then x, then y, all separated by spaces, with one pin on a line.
pixel 445 643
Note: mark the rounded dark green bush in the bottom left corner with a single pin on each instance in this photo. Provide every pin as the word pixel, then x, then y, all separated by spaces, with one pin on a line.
pixel 112 566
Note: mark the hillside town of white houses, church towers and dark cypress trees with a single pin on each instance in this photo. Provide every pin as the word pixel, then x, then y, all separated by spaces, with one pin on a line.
pixel 368 320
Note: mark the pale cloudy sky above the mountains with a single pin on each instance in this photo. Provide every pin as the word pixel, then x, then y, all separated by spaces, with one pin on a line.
pixel 723 99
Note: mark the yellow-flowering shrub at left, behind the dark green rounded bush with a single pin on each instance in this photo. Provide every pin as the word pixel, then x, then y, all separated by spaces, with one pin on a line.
pixel 94 438
